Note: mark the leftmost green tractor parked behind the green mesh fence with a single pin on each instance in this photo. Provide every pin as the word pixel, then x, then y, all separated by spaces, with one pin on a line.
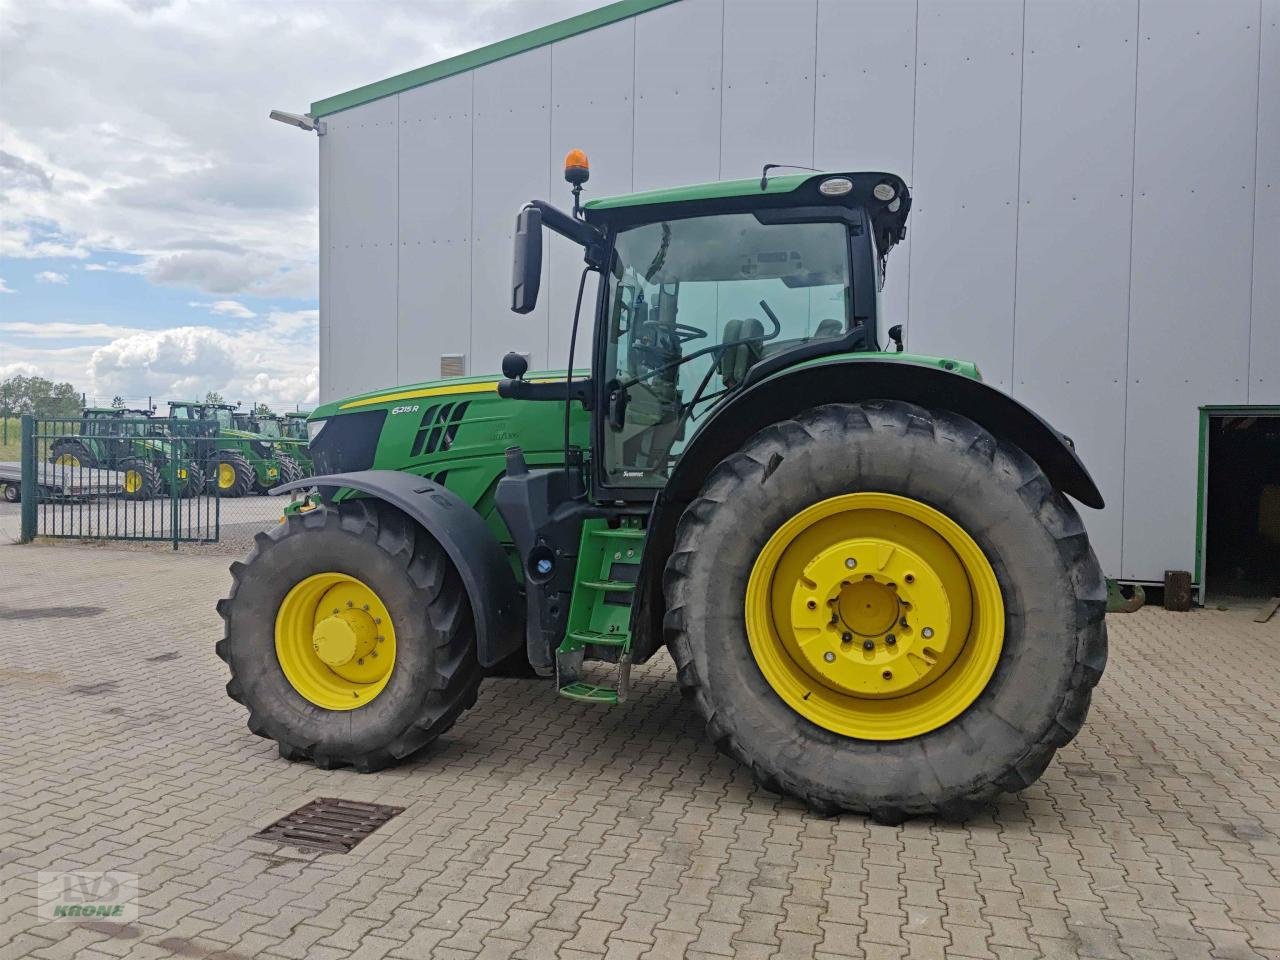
pixel 131 444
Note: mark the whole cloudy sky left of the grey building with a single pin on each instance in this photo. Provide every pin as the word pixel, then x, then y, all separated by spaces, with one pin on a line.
pixel 158 234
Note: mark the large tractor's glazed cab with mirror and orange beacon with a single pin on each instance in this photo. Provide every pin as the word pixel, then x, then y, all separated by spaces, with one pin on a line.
pixel 705 291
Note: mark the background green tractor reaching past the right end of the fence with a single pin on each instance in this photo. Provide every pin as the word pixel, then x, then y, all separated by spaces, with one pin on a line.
pixel 236 463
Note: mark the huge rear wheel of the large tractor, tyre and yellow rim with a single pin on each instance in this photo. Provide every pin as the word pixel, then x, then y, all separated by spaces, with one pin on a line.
pixel 1044 596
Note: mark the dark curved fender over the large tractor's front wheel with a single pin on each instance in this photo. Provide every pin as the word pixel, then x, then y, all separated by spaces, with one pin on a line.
pixel 465 538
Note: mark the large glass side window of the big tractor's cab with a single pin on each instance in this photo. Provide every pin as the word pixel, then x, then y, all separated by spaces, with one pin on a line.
pixel 693 305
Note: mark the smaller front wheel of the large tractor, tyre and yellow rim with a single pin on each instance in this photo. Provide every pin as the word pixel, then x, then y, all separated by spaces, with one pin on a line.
pixel 318 559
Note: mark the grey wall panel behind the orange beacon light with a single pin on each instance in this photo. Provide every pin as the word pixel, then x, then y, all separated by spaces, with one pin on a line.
pixel 596 116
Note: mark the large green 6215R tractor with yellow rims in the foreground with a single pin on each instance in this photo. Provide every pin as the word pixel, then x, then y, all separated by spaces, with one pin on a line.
pixel 866 564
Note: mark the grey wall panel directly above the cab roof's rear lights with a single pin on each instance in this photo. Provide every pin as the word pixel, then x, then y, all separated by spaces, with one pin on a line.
pixel 866 107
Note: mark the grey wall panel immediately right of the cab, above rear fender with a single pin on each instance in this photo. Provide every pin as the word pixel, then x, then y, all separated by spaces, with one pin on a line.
pixel 964 223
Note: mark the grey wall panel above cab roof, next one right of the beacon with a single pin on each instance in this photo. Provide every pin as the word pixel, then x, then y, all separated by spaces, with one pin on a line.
pixel 678 100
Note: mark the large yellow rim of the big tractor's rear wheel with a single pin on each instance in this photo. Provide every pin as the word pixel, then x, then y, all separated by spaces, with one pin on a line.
pixel 875 616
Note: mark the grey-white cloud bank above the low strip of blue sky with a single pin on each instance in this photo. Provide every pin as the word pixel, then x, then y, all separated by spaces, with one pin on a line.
pixel 191 177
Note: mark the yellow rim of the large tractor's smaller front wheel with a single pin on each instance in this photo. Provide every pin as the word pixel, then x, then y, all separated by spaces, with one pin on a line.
pixel 336 642
